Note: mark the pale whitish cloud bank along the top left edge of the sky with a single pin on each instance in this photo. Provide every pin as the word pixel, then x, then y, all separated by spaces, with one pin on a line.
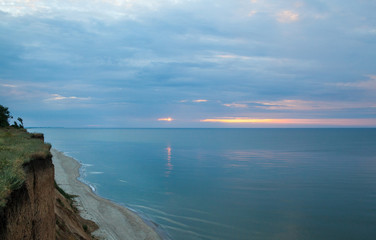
pixel 84 10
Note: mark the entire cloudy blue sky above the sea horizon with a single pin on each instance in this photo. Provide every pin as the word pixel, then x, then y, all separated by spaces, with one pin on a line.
pixel 189 63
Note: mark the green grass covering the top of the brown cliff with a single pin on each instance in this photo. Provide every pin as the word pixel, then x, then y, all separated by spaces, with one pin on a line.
pixel 17 147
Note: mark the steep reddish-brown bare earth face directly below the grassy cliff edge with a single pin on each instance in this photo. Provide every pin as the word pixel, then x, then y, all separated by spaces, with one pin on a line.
pixel 29 213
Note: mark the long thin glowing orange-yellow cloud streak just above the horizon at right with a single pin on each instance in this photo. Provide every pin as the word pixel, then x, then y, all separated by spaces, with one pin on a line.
pixel 329 122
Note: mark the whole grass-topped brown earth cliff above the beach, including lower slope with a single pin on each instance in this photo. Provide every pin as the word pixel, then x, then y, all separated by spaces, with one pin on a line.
pixel 32 207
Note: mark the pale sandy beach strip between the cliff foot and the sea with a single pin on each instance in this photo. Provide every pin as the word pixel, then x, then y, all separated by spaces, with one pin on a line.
pixel 115 222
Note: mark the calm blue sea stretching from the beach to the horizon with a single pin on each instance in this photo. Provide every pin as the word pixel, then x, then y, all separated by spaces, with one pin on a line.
pixel 235 183
